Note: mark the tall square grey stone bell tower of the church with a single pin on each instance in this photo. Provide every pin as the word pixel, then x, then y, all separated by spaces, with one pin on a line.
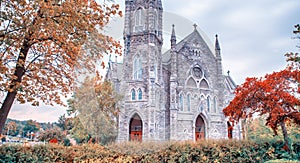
pixel 142 72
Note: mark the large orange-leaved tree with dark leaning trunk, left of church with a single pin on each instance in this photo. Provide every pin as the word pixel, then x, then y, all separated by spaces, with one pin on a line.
pixel 42 44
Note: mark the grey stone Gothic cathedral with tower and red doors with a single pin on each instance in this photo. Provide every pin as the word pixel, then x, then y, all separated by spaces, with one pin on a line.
pixel 176 95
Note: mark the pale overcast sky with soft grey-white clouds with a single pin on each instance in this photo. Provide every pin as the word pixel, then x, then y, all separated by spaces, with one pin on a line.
pixel 254 36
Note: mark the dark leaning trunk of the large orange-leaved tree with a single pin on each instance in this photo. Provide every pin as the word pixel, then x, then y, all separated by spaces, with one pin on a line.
pixel 11 95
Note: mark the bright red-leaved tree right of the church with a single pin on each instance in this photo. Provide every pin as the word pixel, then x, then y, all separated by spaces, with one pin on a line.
pixel 276 96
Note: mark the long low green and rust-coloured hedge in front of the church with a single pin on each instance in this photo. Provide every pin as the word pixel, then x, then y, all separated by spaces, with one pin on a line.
pixel 206 151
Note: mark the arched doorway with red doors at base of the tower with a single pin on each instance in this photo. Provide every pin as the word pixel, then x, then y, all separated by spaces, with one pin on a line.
pixel 135 128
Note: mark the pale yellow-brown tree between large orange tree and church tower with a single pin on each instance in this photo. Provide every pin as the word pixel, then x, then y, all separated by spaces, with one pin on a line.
pixel 95 103
